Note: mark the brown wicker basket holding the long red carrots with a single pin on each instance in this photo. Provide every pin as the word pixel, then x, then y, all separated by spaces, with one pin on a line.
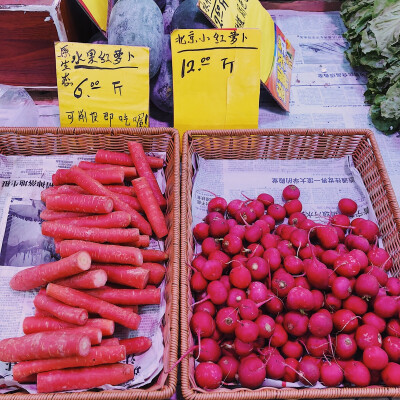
pixel 45 141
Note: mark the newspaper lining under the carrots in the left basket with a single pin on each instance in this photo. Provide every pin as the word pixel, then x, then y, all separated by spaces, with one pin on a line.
pixel 22 245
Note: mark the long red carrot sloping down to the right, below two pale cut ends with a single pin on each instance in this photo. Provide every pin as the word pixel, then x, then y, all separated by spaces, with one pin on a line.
pixel 76 298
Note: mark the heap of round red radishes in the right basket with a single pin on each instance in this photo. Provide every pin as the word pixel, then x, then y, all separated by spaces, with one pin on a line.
pixel 283 297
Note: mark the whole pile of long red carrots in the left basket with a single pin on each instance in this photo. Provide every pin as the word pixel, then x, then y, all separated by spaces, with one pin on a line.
pixel 101 228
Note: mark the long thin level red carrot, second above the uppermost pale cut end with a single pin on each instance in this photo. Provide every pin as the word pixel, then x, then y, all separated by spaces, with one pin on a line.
pixel 98 235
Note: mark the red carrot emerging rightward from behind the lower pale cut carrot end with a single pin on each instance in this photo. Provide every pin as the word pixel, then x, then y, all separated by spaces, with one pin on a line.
pixel 133 277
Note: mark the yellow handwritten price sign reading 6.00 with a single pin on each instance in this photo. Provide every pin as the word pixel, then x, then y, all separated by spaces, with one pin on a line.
pixel 102 85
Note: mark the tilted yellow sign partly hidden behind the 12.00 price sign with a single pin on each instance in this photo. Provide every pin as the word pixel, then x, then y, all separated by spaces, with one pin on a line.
pixel 274 74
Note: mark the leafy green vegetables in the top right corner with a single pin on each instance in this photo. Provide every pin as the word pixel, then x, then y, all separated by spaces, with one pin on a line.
pixel 374 36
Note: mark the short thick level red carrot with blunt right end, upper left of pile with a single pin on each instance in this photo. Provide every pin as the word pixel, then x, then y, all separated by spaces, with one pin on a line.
pixel 80 203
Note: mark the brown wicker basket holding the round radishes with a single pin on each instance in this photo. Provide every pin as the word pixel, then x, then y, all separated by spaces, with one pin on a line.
pixel 283 144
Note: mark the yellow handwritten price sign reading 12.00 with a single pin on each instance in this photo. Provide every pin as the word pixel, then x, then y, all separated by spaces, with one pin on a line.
pixel 216 78
